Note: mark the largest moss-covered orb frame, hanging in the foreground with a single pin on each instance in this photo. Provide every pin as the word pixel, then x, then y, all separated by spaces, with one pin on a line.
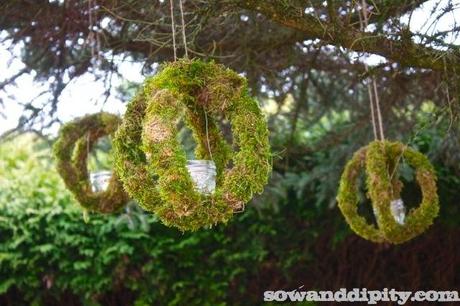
pixel 146 144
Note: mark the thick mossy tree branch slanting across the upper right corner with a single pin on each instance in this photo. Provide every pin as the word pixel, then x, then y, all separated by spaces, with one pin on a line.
pixel 402 50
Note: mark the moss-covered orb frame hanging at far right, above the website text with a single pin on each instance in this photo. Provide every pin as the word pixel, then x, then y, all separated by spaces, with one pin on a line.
pixel 380 159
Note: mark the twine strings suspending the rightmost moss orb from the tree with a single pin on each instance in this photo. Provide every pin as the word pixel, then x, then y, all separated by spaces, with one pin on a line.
pixel 376 115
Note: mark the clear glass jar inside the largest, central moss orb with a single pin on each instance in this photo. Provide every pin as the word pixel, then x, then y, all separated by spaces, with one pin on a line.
pixel 203 173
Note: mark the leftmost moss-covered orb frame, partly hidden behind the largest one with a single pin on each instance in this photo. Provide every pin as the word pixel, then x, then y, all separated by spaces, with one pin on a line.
pixel 75 140
